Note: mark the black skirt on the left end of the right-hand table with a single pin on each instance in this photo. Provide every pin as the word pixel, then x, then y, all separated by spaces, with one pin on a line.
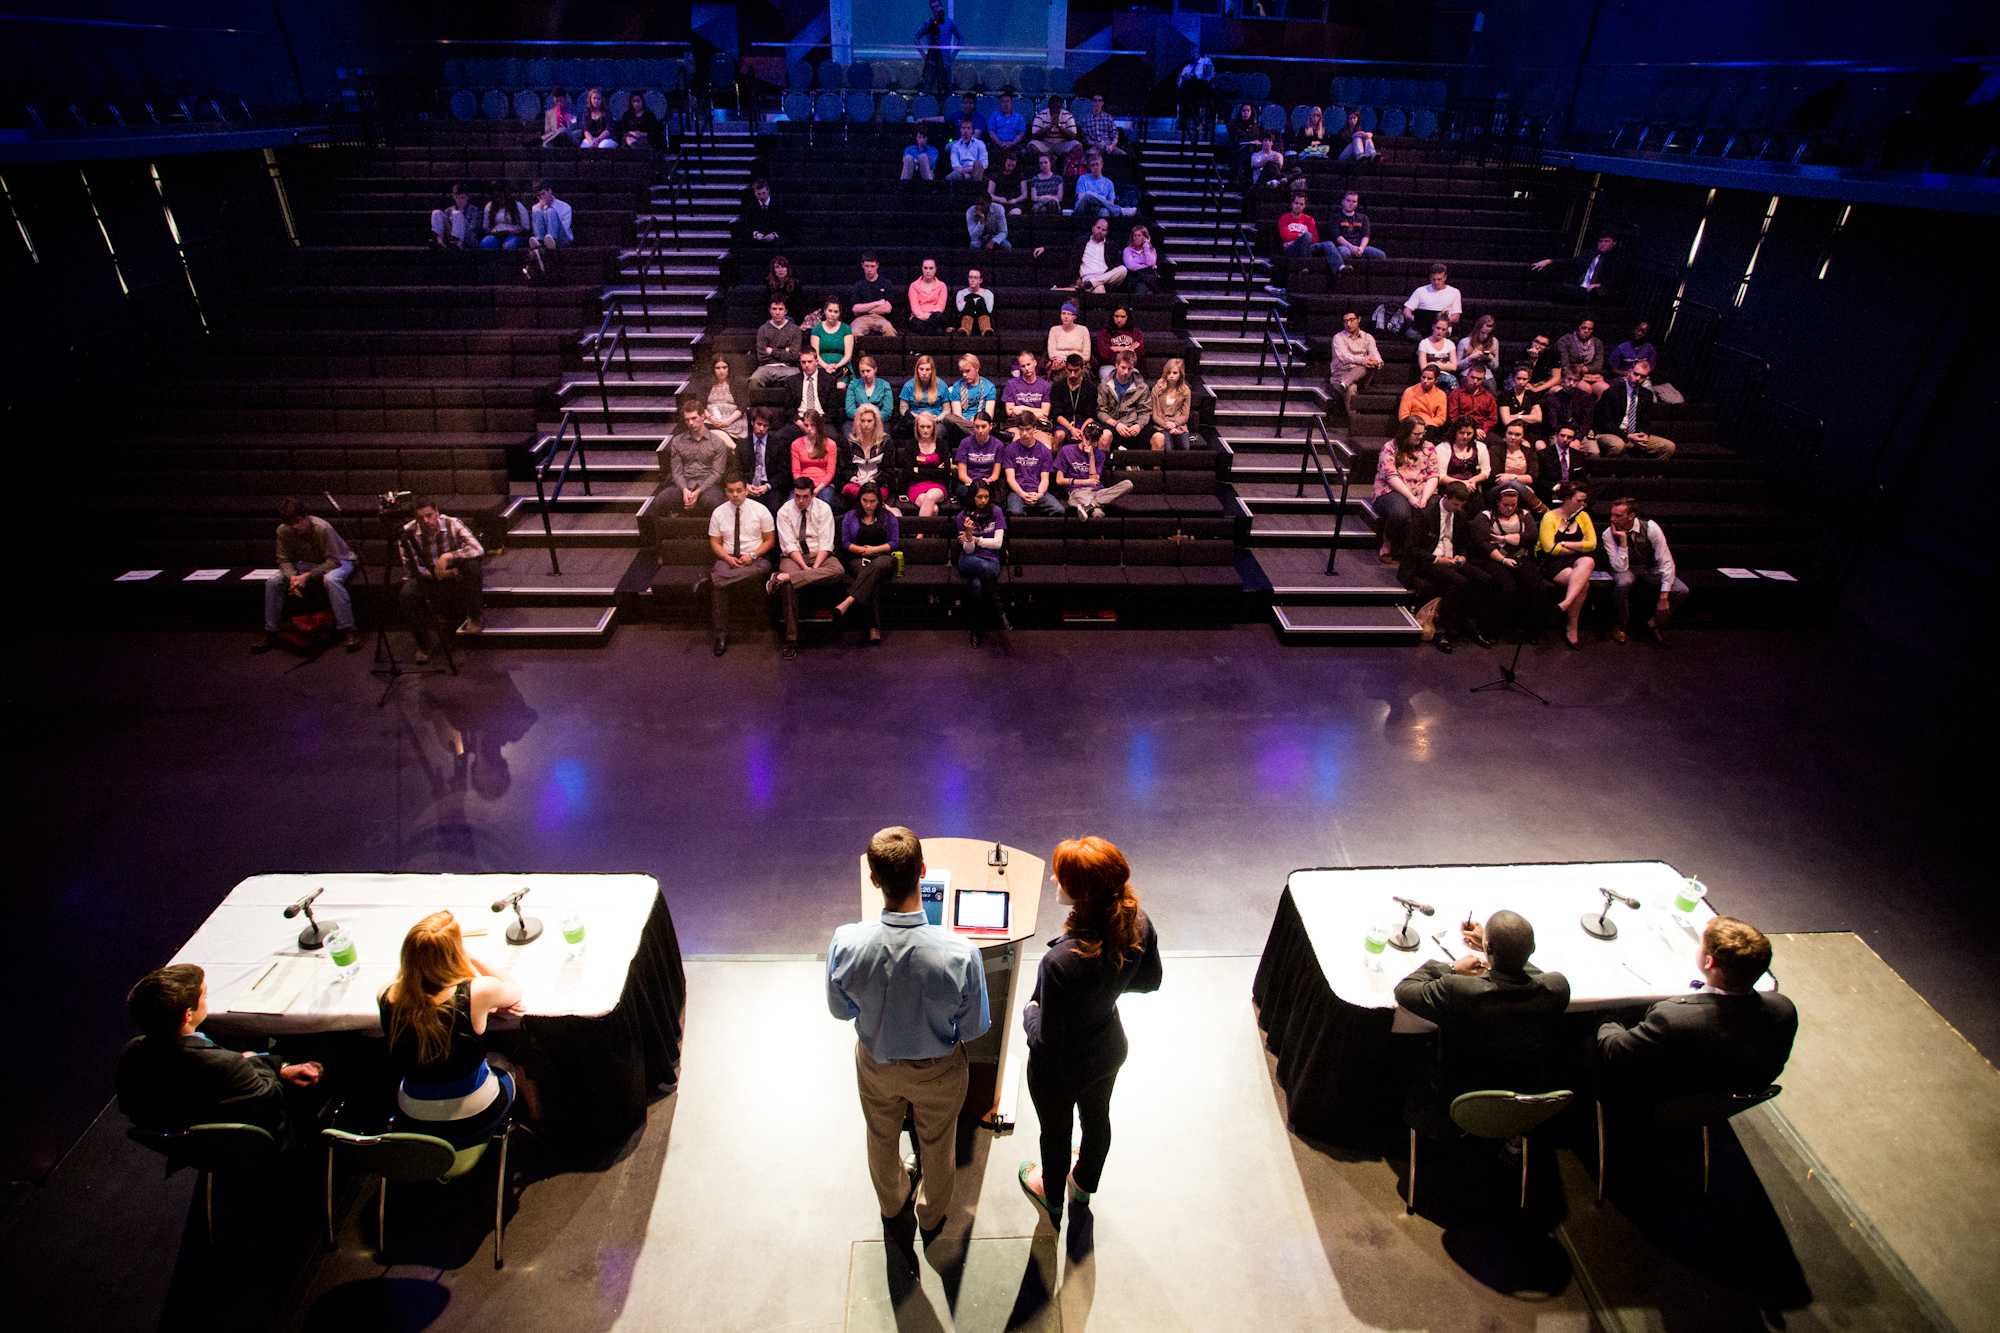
pixel 1341 1072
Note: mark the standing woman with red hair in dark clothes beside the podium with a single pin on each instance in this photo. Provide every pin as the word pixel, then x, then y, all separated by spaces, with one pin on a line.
pixel 1075 1038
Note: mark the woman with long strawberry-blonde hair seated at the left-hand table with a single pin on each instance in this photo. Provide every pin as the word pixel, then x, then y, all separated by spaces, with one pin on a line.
pixel 435 1016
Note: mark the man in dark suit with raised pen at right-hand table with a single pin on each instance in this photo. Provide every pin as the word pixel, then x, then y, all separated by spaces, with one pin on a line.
pixel 1499 1016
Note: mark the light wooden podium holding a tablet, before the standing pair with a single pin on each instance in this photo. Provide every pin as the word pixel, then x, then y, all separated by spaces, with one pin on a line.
pixel 993 1088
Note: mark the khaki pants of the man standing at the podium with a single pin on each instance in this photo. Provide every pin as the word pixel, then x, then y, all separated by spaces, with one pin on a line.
pixel 933 1094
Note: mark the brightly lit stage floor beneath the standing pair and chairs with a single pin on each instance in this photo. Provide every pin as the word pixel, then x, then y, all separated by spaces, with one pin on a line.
pixel 747 1206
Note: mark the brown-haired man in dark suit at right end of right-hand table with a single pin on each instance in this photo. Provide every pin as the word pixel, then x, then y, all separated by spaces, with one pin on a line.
pixel 1723 1040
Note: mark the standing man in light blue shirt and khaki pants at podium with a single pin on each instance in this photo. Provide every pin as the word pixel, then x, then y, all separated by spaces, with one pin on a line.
pixel 915 994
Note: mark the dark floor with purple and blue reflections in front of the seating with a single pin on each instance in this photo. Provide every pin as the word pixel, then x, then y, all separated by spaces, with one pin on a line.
pixel 1805 780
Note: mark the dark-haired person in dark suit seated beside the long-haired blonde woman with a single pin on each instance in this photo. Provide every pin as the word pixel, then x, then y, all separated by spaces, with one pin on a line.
pixel 171 1076
